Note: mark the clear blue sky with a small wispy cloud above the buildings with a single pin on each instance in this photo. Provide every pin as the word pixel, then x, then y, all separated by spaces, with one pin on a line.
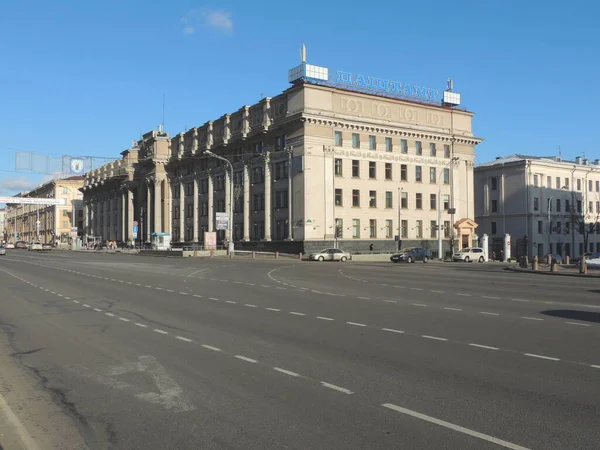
pixel 85 78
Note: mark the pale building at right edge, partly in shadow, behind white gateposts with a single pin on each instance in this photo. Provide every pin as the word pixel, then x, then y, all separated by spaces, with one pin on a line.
pixel 547 205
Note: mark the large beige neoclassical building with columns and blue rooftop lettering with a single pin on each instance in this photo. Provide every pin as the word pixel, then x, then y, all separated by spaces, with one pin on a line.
pixel 321 164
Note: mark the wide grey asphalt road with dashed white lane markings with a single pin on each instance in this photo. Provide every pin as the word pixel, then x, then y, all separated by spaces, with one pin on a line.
pixel 145 352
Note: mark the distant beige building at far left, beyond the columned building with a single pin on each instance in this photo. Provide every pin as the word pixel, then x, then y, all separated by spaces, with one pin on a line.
pixel 48 223
